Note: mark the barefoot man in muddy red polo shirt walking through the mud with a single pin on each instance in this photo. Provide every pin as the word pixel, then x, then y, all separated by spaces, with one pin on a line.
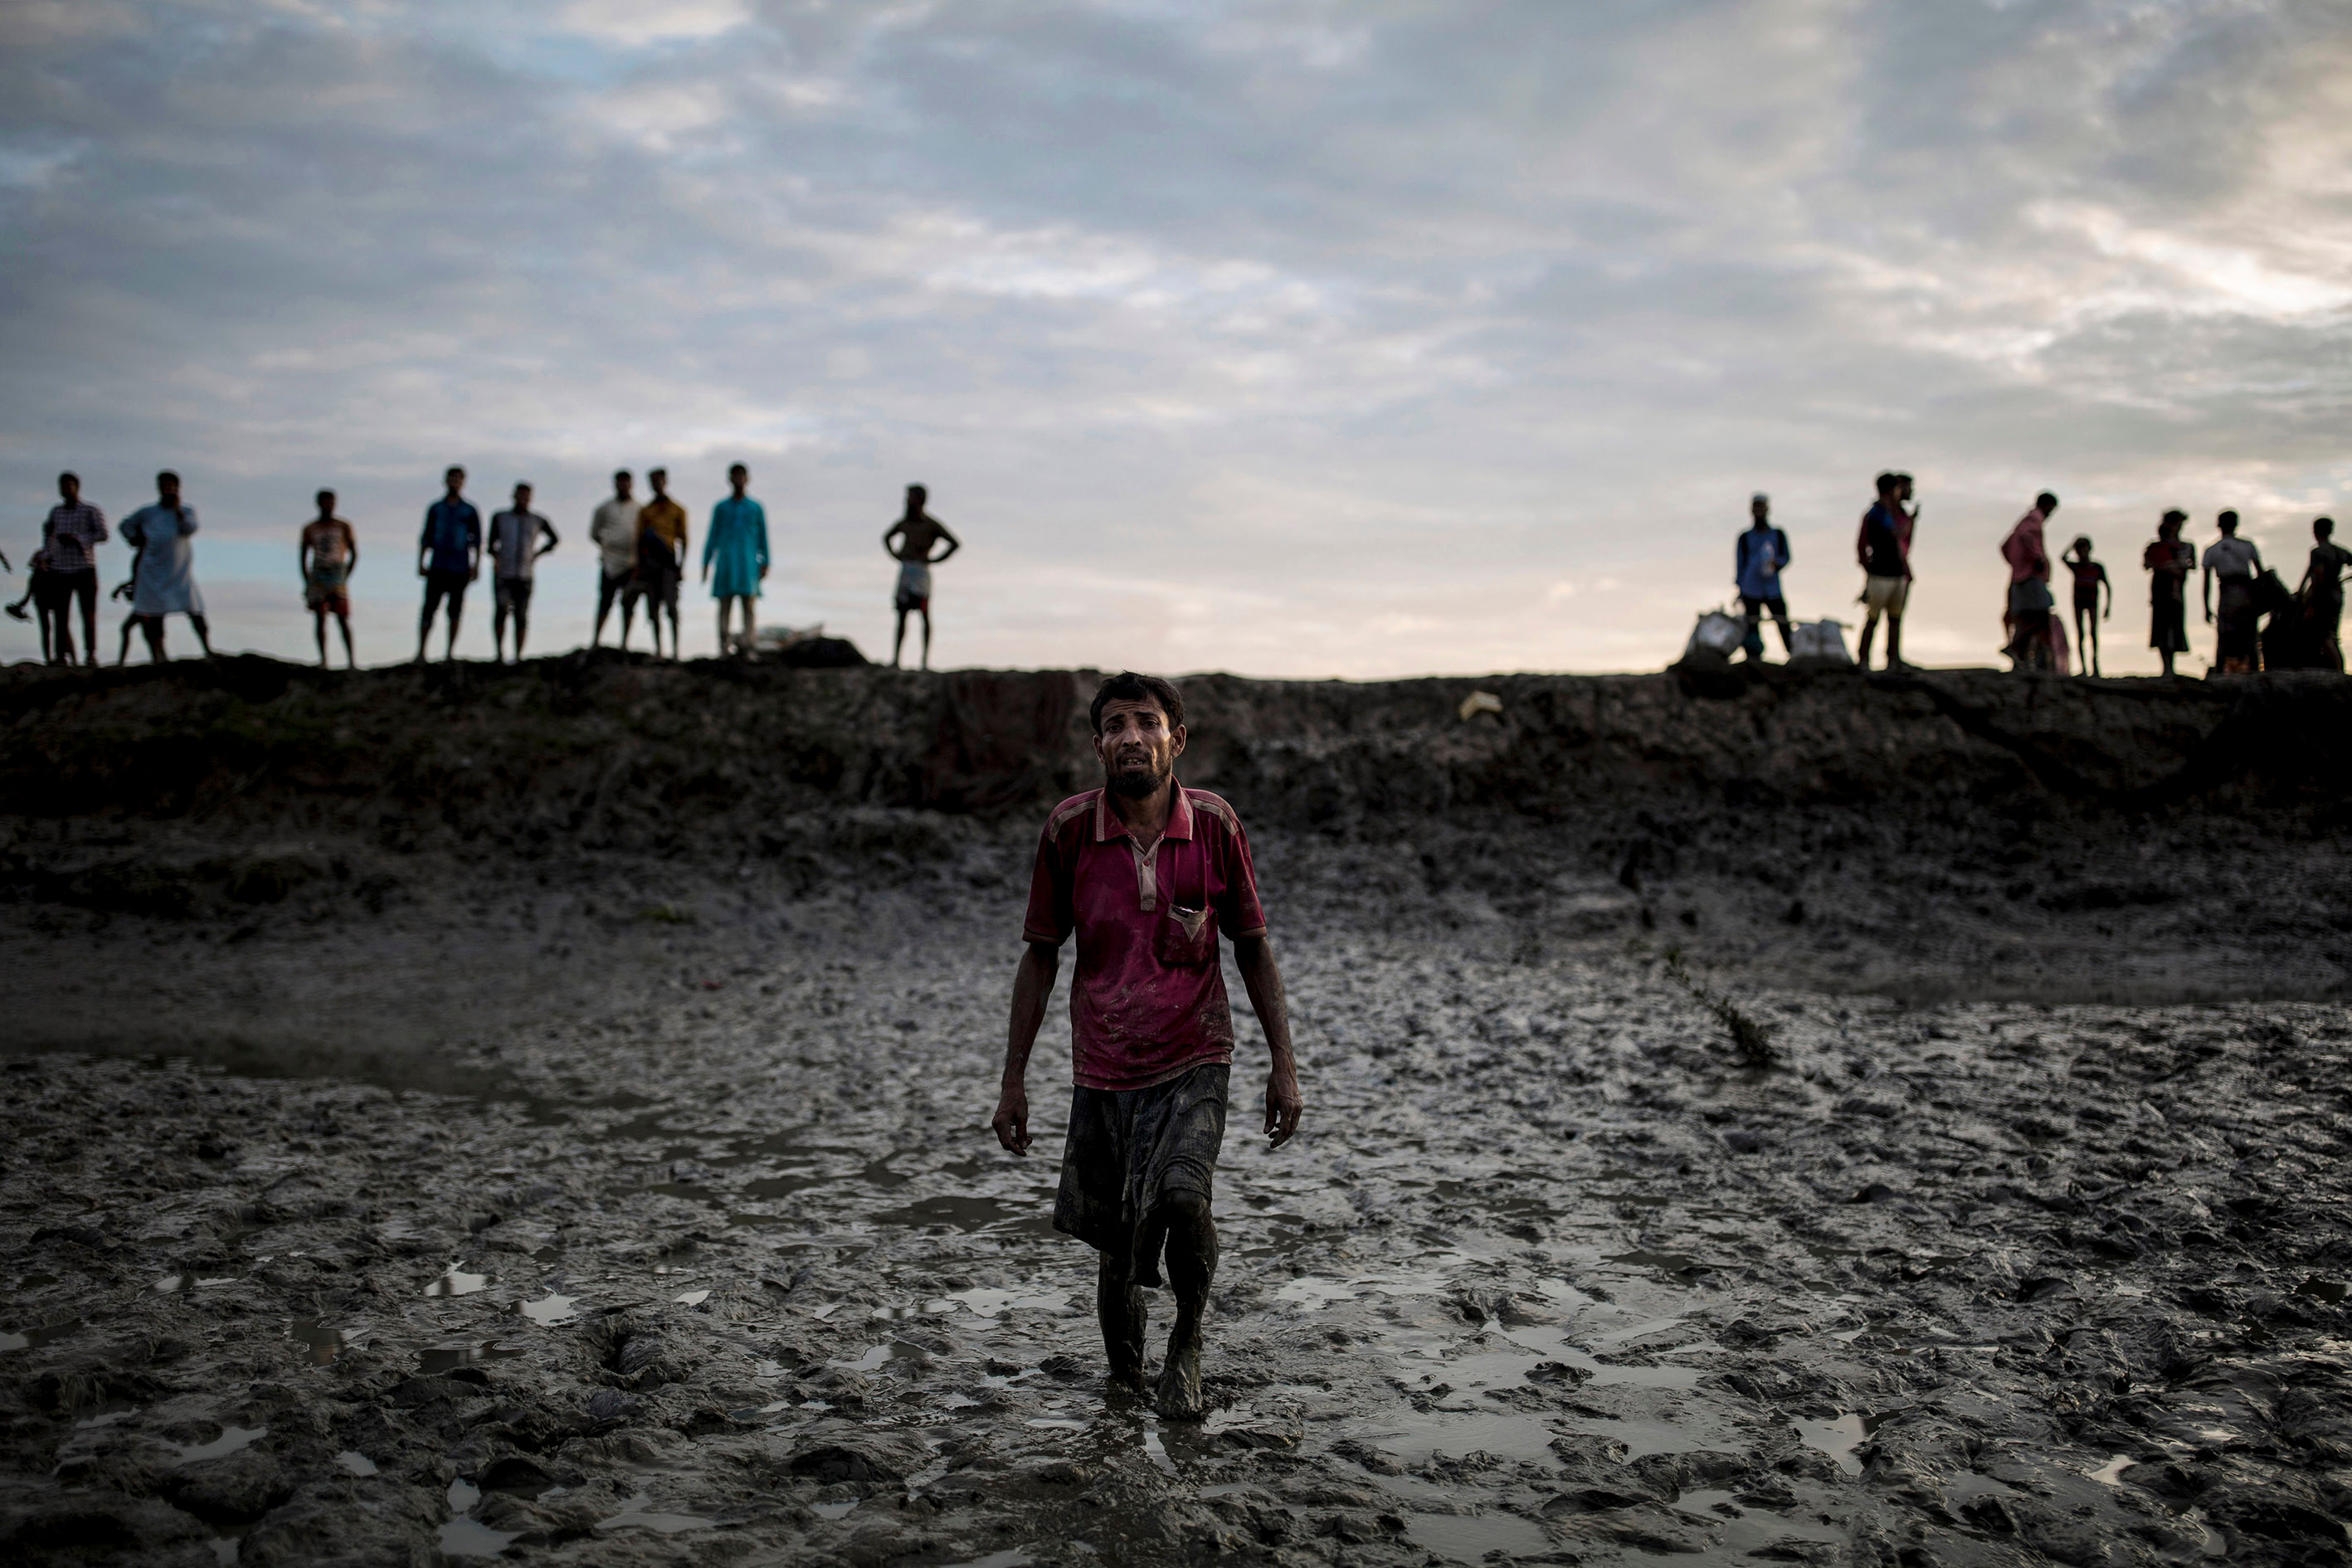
pixel 1147 873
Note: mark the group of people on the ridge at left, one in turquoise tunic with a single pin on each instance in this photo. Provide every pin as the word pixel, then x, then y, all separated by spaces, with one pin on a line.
pixel 641 561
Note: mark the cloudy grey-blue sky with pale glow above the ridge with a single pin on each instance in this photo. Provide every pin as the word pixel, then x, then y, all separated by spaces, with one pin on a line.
pixel 1292 340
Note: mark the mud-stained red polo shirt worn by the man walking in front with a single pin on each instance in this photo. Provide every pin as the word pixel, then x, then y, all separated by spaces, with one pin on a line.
pixel 1135 1019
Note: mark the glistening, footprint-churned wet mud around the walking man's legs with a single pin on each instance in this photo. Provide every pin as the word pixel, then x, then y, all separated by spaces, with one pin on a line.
pixel 1544 1280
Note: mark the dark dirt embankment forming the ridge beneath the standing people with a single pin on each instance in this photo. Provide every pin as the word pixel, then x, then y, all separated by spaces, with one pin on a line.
pixel 1923 833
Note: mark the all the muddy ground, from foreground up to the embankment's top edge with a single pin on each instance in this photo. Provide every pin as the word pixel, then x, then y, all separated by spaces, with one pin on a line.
pixel 542 1115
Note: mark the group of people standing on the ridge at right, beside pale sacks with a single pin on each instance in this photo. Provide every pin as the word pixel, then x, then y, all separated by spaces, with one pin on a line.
pixel 2304 624
